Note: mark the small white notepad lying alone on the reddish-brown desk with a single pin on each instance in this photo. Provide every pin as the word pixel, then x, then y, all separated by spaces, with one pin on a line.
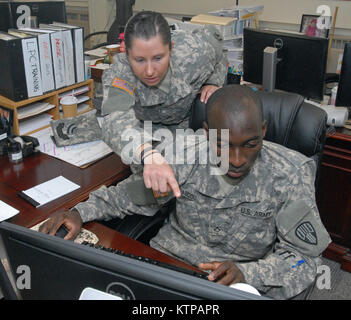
pixel 51 190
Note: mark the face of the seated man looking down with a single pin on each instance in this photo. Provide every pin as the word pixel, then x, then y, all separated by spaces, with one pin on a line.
pixel 245 141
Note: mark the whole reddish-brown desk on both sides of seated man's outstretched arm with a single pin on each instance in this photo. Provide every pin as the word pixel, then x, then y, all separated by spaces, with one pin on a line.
pixel 41 167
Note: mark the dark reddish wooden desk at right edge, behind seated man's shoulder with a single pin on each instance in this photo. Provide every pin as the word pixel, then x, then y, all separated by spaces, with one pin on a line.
pixel 334 196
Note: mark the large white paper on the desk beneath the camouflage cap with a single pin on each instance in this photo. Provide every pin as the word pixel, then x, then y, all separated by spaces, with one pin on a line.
pixel 78 155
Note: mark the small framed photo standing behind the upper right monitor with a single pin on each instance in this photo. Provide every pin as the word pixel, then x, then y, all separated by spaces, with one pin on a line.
pixel 309 25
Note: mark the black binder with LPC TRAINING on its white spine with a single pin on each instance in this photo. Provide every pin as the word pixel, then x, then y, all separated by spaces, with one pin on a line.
pixel 20 75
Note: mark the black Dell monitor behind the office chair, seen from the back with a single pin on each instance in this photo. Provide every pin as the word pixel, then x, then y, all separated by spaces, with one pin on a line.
pixel 301 60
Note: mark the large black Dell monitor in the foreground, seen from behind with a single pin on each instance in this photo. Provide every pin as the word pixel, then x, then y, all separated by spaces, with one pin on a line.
pixel 61 269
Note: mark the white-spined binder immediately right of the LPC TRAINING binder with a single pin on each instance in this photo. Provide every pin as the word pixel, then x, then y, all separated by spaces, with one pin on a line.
pixel 45 54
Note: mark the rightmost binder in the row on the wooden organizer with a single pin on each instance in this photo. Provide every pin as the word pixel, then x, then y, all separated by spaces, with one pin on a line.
pixel 78 46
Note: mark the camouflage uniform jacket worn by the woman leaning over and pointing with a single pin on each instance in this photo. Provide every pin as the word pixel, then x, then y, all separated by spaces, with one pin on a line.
pixel 197 59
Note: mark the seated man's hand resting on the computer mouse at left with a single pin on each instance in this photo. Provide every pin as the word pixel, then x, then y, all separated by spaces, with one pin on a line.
pixel 71 219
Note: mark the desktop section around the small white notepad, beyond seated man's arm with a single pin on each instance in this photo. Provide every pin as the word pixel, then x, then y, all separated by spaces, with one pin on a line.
pixel 39 168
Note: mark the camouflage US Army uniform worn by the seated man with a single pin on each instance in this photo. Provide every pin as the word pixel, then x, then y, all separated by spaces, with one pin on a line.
pixel 268 223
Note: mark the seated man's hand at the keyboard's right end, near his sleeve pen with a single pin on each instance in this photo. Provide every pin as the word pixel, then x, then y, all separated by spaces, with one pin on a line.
pixel 225 272
